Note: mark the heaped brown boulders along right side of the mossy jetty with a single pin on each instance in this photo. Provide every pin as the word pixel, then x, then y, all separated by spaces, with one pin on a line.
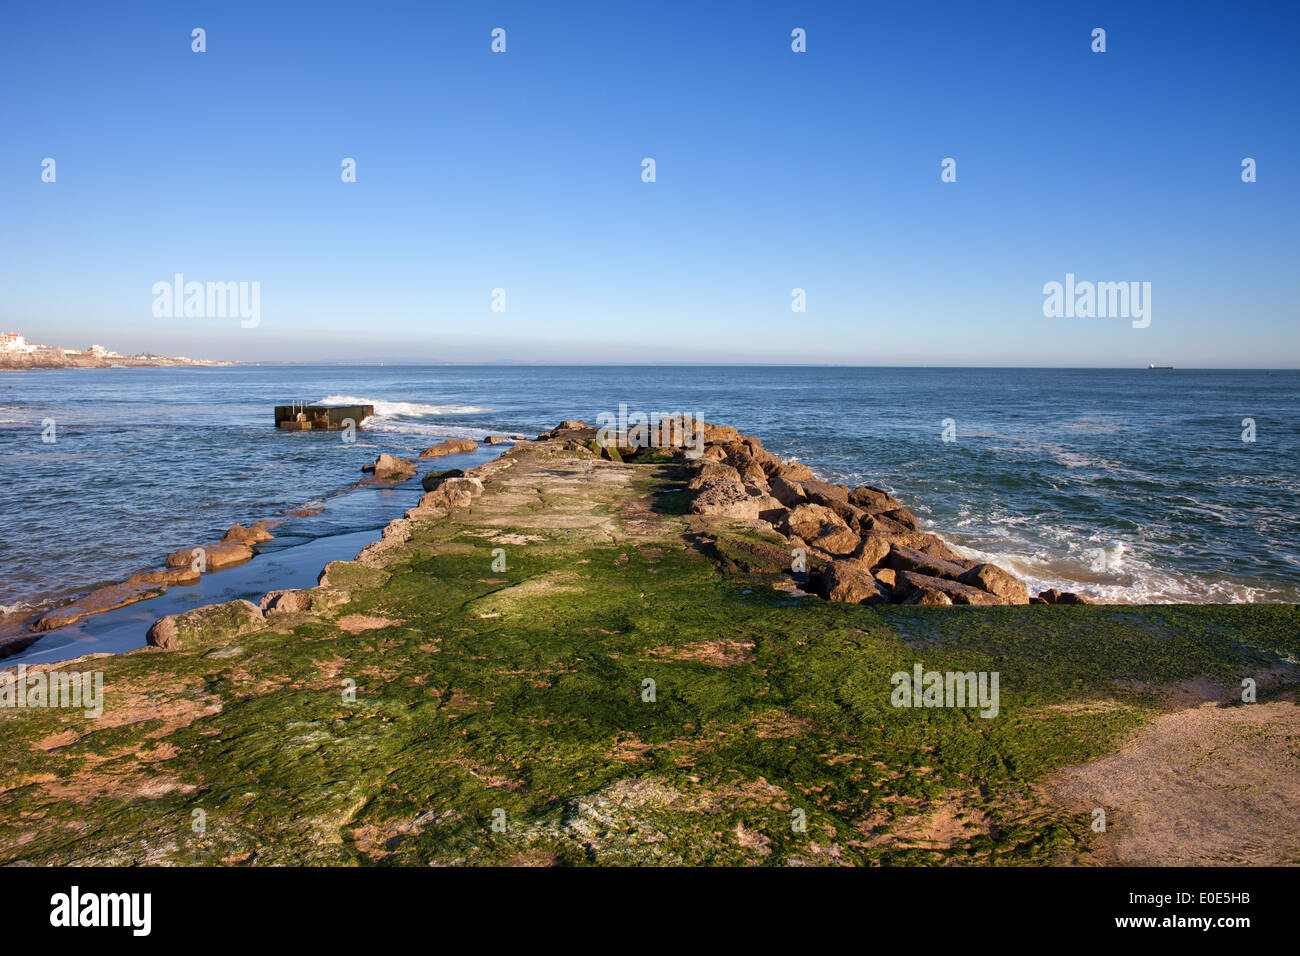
pixel 861 544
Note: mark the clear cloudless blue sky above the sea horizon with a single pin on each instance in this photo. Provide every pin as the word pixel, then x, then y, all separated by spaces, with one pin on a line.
pixel 774 171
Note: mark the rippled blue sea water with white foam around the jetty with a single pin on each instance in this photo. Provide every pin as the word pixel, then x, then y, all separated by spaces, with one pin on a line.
pixel 1128 486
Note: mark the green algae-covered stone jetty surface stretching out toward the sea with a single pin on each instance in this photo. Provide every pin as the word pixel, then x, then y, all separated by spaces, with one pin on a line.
pixel 453 713
